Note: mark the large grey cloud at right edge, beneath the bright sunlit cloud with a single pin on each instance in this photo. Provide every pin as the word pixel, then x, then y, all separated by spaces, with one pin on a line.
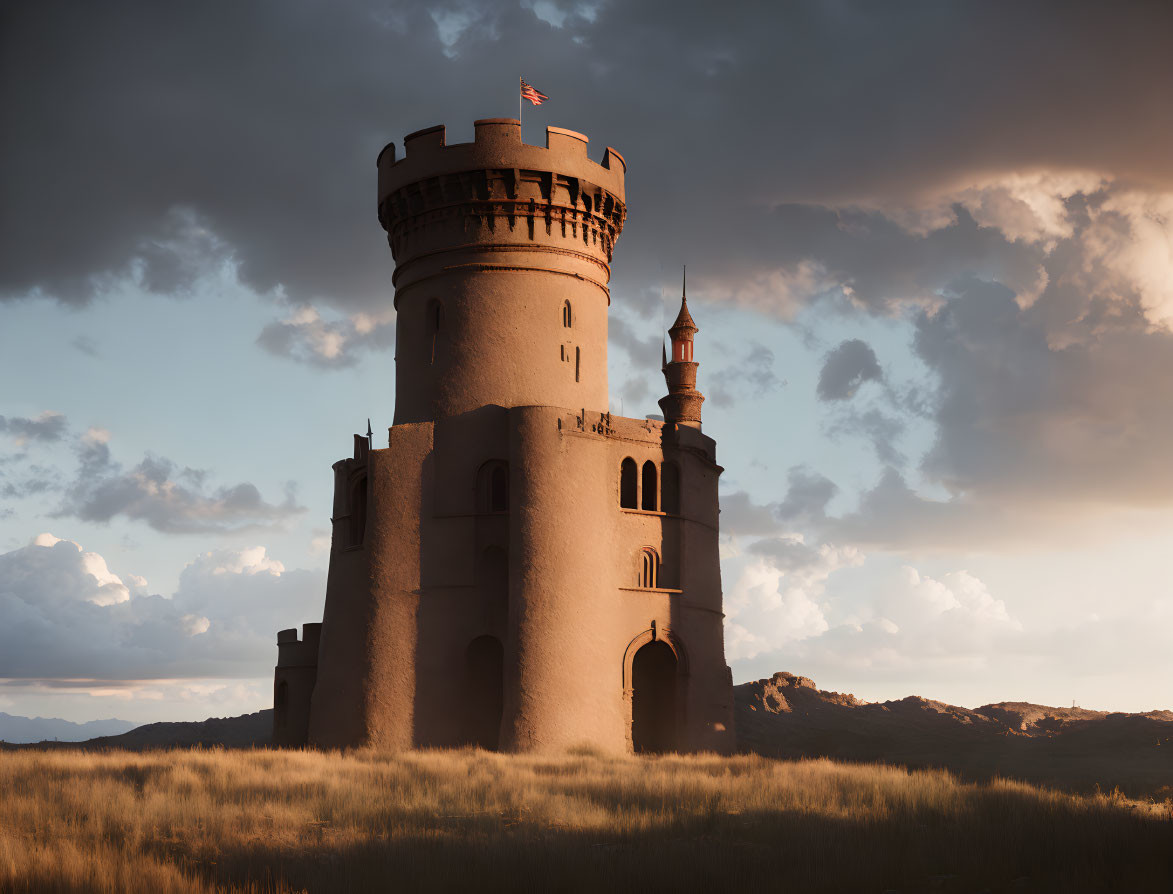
pixel 1021 417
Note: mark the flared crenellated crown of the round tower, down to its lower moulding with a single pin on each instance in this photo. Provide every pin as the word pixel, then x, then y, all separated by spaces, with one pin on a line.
pixel 497 201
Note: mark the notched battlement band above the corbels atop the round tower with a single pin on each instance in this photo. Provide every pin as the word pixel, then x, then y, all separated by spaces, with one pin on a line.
pixel 498 146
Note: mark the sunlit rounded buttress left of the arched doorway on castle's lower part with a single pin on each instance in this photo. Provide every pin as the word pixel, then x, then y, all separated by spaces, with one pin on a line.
pixel 564 594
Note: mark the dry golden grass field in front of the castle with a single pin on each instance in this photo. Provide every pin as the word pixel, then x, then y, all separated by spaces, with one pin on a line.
pixel 466 821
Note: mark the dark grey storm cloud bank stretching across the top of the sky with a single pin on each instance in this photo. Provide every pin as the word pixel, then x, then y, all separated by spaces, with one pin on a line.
pixel 171 138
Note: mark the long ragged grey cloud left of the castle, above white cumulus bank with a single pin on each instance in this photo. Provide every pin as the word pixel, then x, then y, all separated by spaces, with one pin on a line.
pixel 169 499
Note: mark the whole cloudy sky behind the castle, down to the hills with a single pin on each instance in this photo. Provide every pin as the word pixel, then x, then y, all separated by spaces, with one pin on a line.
pixel 931 252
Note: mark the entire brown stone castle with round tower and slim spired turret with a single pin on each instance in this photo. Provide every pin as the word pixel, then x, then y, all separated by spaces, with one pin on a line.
pixel 518 568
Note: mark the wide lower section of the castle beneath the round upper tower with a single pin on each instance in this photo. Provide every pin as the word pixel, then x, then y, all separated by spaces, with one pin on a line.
pixel 518 626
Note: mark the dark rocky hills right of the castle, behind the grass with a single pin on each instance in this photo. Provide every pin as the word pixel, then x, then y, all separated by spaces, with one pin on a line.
pixel 1076 749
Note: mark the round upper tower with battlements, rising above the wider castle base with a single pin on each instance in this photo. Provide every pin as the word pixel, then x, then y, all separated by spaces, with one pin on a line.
pixel 503 263
